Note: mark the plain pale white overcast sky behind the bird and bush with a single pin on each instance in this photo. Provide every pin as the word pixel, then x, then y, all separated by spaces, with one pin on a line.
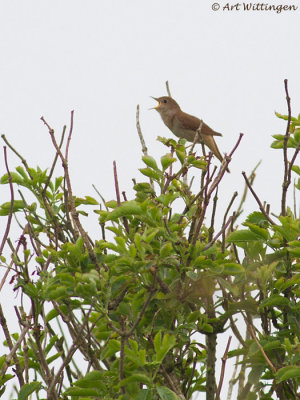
pixel 102 58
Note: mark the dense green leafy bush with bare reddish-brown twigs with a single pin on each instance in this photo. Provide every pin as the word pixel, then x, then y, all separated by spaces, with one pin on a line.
pixel 137 313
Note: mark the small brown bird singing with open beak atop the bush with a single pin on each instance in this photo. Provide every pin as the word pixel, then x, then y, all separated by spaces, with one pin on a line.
pixel 184 125
